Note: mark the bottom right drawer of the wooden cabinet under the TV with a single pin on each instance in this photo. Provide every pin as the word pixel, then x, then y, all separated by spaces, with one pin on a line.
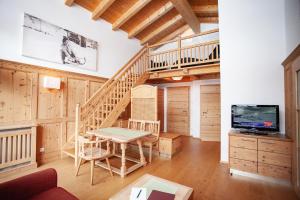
pixel 274 171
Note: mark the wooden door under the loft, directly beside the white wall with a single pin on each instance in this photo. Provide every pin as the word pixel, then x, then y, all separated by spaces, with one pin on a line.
pixel 210 113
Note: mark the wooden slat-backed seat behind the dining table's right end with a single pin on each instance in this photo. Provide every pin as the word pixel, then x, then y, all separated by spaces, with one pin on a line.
pixel 147 125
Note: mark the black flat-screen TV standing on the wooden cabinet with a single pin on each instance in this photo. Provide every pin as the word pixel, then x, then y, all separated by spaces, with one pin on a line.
pixel 259 117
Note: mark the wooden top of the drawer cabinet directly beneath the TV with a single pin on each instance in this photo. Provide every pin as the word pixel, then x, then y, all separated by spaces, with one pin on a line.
pixel 269 137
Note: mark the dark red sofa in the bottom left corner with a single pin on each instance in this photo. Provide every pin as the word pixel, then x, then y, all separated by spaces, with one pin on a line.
pixel 39 185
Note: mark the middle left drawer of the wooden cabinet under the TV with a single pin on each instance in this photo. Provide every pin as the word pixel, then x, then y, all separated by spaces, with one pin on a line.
pixel 244 154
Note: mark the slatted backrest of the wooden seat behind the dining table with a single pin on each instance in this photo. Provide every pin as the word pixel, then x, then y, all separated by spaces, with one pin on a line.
pixel 145 125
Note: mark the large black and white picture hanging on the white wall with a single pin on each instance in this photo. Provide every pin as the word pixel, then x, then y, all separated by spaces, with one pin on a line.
pixel 45 41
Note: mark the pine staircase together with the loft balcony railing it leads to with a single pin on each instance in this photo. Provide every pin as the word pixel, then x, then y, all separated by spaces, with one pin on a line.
pixel 107 104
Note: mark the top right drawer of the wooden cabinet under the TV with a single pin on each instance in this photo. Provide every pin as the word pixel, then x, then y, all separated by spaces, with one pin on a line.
pixel 274 146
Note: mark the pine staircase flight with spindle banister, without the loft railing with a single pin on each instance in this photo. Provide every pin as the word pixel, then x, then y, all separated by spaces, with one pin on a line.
pixel 107 104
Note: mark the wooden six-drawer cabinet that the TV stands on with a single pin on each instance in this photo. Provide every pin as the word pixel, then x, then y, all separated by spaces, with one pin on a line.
pixel 269 155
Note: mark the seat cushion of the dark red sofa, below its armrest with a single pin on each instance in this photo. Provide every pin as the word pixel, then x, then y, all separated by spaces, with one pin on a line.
pixel 57 193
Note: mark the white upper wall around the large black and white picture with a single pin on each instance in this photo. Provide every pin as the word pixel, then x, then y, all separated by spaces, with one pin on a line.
pixel 115 49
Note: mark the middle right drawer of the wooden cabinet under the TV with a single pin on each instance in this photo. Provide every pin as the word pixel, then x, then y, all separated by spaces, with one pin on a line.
pixel 282 160
